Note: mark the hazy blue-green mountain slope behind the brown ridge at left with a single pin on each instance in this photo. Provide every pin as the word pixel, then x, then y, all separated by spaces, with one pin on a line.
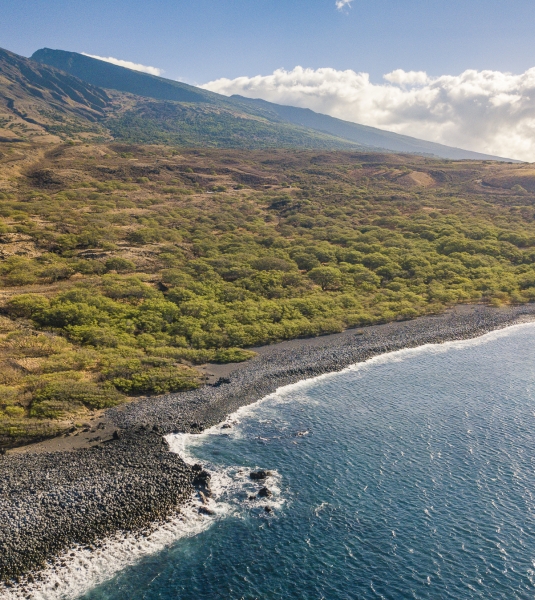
pixel 245 121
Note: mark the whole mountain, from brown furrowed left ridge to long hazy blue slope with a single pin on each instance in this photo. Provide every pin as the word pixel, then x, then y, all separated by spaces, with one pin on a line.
pixel 68 94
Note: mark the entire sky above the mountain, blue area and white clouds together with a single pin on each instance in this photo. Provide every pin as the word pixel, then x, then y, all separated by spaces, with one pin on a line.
pixel 457 72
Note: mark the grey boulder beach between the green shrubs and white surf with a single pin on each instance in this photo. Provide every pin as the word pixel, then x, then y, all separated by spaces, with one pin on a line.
pixel 50 501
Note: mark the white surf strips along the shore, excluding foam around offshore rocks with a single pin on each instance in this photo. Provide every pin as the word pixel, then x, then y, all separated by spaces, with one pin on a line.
pixel 71 576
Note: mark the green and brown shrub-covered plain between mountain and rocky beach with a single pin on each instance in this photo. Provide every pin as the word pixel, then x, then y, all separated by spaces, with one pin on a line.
pixel 124 267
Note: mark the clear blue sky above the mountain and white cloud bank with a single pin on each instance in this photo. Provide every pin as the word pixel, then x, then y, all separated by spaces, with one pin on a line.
pixel 203 40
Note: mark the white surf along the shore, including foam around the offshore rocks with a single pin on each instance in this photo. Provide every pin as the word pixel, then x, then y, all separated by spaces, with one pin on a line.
pixel 79 570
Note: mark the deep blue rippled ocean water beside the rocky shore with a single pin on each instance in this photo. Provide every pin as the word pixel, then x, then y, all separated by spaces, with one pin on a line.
pixel 411 476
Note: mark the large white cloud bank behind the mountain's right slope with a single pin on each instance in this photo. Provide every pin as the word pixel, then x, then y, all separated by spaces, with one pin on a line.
pixel 484 111
